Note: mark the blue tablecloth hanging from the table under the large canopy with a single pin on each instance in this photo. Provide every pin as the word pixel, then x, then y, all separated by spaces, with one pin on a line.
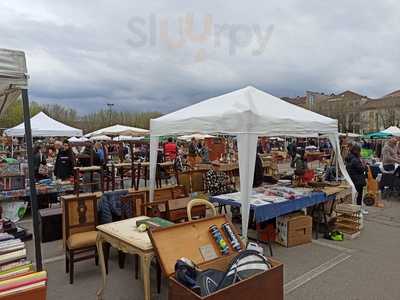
pixel 272 210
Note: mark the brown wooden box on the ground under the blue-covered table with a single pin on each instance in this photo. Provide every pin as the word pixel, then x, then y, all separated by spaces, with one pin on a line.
pixel 293 230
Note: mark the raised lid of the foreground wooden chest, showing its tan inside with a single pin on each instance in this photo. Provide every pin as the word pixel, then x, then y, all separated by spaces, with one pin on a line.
pixel 185 240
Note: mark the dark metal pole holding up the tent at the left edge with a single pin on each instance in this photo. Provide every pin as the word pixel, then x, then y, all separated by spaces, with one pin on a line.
pixel 32 186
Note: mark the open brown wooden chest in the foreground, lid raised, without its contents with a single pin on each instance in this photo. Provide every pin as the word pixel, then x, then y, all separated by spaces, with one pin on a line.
pixel 185 239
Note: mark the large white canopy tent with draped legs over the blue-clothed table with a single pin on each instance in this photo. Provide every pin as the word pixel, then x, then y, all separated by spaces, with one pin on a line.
pixel 246 113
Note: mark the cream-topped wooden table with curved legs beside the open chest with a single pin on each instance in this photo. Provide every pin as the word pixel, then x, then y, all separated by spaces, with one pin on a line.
pixel 123 236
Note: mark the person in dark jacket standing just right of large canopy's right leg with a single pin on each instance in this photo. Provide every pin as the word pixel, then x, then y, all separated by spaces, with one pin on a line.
pixel 356 170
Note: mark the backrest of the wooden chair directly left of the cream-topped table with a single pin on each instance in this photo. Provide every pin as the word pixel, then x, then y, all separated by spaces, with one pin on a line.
pixel 80 214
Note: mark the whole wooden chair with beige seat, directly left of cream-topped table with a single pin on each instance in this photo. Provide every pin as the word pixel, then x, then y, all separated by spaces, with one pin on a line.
pixel 80 221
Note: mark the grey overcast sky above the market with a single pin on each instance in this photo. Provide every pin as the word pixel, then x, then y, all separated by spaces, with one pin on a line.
pixel 145 55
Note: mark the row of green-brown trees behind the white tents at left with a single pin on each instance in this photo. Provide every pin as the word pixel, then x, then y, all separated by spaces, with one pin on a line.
pixel 88 122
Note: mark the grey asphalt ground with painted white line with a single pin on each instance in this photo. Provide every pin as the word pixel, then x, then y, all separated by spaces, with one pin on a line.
pixel 367 268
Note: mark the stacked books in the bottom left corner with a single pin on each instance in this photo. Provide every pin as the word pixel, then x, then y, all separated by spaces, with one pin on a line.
pixel 17 276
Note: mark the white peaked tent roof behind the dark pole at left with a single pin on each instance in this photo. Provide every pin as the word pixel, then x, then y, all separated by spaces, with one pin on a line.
pixel 43 125
